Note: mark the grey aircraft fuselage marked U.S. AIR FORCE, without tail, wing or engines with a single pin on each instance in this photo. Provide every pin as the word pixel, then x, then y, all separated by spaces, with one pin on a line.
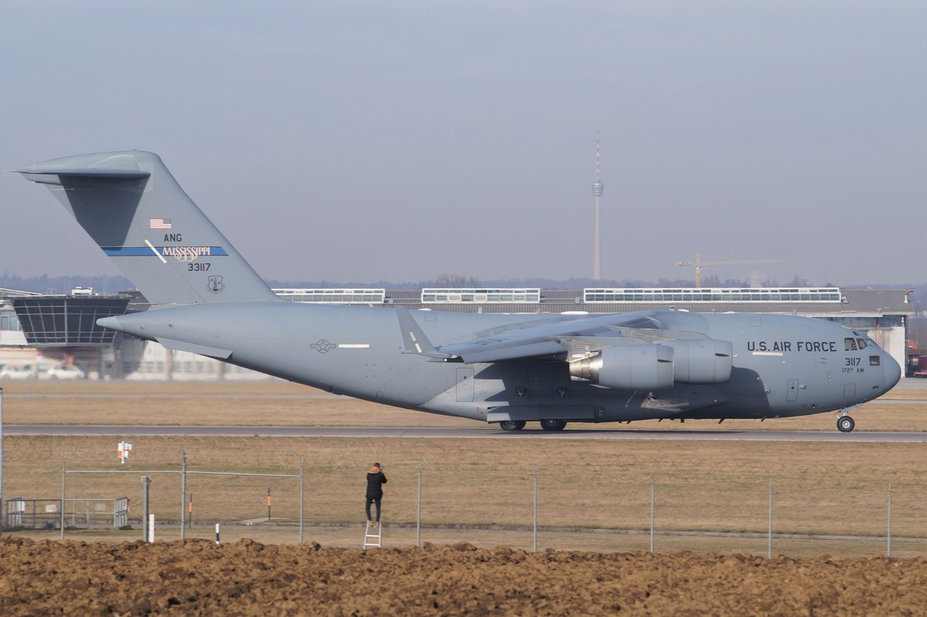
pixel 781 365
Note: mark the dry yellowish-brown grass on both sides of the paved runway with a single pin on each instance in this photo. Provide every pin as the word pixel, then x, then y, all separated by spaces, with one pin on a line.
pixel 474 489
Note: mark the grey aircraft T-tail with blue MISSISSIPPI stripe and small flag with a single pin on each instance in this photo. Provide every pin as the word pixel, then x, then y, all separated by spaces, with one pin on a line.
pixel 136 212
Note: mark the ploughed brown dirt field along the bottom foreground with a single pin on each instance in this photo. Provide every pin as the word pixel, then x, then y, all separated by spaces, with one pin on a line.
pixel 197 577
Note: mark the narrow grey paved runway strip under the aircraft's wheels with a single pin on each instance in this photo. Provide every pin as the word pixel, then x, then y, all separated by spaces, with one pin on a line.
pixel 477 432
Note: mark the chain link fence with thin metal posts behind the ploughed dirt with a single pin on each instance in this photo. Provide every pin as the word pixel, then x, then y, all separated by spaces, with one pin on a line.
pixel 598 506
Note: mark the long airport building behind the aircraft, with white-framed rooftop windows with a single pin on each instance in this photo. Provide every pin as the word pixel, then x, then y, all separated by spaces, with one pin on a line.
pixel 39 332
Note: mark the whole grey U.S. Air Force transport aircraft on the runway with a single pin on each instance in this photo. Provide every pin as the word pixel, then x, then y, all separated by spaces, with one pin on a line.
pixel 503 368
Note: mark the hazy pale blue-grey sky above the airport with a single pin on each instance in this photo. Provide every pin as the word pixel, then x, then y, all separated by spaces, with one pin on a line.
pixel 375 140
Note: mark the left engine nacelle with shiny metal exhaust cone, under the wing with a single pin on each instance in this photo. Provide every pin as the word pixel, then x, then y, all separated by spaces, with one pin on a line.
pixel 628 367
